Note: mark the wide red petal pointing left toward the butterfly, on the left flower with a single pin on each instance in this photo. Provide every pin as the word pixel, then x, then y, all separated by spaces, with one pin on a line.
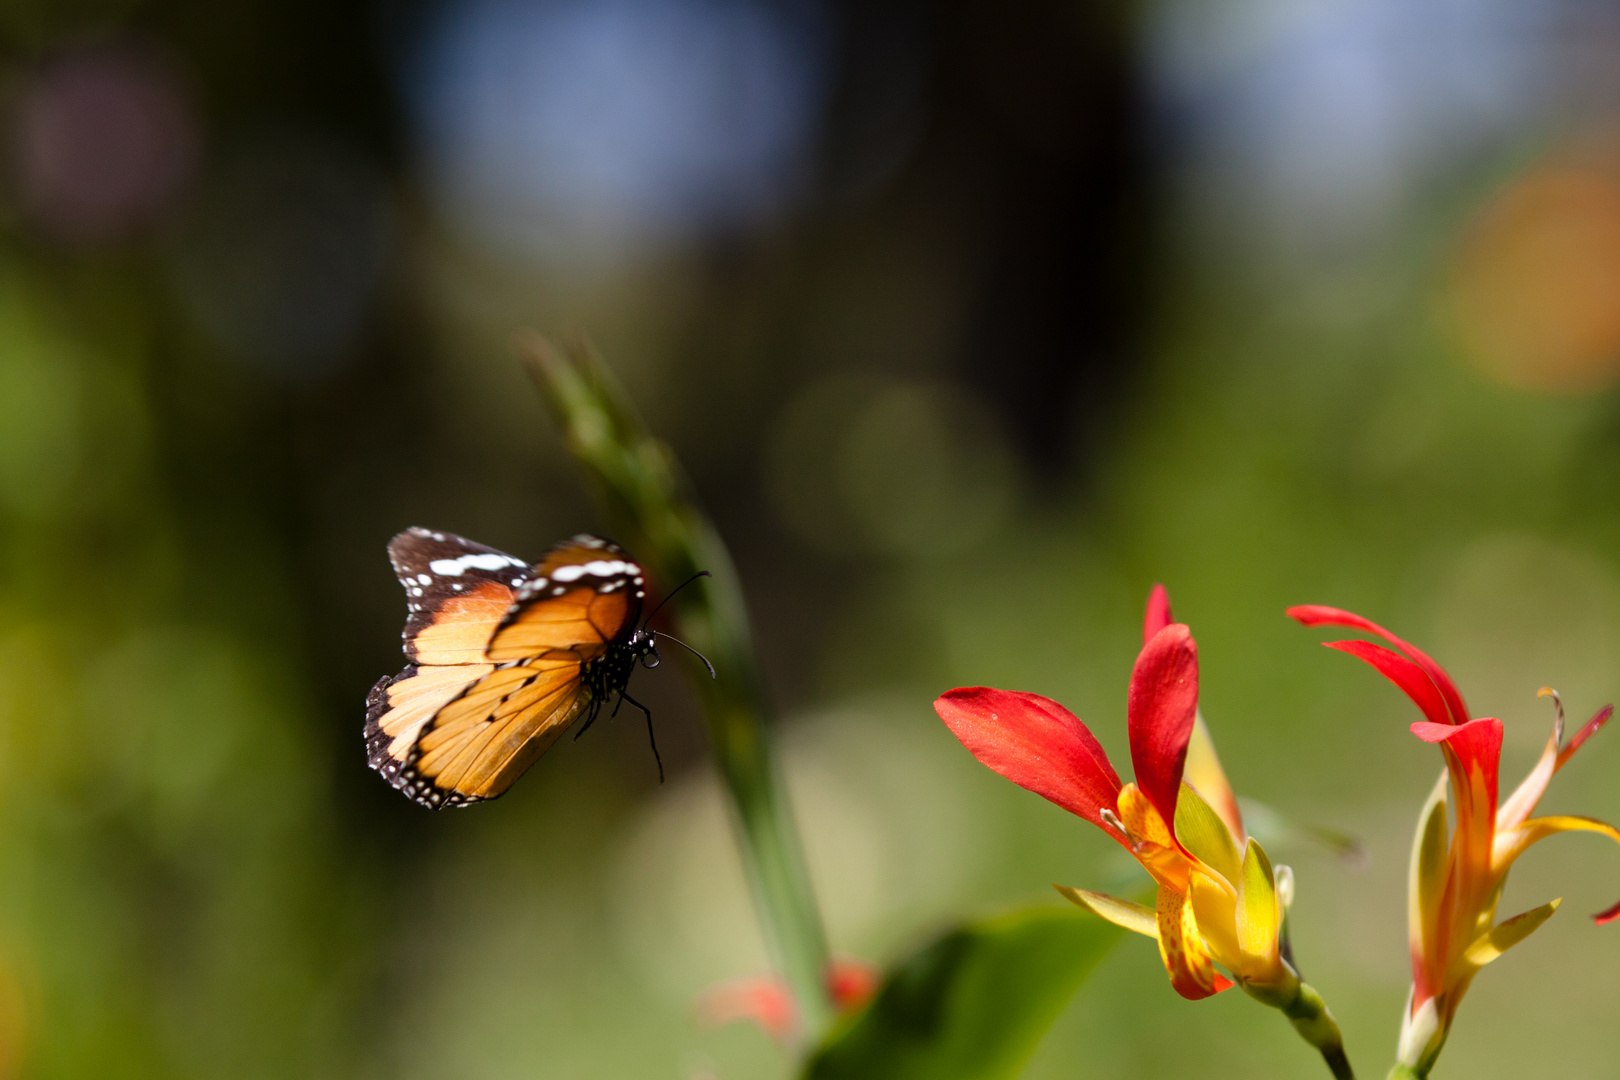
pixel 1036 744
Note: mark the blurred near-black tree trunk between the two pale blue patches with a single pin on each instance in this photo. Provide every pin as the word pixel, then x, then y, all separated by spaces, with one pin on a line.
pixel 1039 106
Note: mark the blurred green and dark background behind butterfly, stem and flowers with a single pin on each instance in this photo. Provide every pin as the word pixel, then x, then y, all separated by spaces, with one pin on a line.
pixel 971 321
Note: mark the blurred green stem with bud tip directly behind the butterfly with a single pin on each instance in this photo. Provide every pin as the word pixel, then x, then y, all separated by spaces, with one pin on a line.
pixel 644 495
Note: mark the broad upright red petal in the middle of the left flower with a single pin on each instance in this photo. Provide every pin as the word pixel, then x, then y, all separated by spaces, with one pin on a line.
pixel 1161 712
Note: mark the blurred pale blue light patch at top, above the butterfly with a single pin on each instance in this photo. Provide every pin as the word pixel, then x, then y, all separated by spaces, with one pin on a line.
pixel 574 127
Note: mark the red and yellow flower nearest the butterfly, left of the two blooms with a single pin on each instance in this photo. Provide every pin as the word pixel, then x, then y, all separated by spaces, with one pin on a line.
pixel 1217 899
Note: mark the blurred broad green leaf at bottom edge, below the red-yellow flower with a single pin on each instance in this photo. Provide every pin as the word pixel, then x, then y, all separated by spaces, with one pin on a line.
pixel 973 1003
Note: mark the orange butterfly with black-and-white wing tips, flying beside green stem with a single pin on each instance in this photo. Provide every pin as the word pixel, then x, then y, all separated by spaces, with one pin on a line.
pixel 503 658
